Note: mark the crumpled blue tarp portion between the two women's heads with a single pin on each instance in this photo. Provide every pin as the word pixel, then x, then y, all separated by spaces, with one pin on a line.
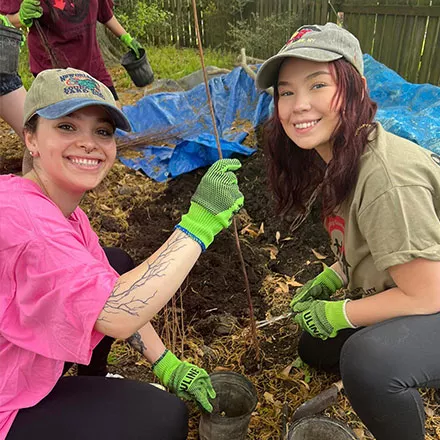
pixel 237 106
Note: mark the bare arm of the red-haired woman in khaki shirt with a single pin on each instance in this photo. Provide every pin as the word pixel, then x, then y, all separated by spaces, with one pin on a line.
pixel 417 293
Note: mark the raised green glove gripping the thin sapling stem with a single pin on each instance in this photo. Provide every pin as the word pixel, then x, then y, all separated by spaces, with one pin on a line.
pixel 216 200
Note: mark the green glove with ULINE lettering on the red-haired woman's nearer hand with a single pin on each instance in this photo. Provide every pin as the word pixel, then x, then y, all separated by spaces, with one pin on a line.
pixel 322 319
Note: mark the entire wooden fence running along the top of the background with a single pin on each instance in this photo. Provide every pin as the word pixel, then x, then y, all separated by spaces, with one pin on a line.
pixel 402 34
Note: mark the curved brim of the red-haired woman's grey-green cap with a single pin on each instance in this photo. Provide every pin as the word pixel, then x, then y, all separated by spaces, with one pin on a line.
pixel 267 75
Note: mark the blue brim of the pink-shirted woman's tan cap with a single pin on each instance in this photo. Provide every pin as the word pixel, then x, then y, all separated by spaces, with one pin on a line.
pixel 64 108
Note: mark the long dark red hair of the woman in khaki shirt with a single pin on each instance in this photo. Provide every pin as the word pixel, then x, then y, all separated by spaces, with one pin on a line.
pixel 295 173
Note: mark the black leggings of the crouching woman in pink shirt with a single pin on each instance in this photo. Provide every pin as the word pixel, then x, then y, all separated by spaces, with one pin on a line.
pixel 90 408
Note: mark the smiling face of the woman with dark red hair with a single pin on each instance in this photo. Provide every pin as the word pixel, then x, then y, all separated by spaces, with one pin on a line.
pixel 309 117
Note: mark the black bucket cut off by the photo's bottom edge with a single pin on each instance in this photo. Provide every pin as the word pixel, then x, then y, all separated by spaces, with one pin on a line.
pixel 320 428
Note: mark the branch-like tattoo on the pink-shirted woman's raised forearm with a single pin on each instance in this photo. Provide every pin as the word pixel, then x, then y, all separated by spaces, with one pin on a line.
pixel 126 299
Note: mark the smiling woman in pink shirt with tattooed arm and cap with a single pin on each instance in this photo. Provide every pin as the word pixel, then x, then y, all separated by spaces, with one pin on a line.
pixel 60 296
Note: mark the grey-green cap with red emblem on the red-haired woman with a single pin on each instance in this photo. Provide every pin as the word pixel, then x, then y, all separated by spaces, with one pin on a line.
pixel 323 44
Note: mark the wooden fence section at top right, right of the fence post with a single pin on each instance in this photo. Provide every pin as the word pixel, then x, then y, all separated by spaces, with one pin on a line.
pixel 402 34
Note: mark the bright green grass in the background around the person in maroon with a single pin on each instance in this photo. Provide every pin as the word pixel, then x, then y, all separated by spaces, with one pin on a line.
pixel 167 62
